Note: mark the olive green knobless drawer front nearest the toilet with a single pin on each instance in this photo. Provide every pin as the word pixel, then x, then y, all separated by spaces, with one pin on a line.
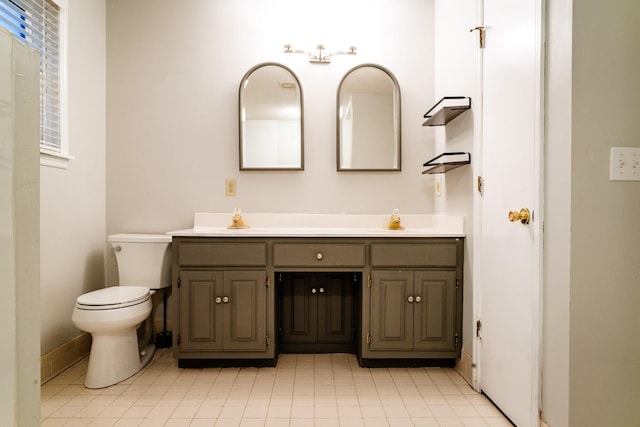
pixel 222 254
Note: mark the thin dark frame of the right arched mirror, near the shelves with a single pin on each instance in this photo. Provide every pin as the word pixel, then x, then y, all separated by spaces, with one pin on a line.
pixel 398 119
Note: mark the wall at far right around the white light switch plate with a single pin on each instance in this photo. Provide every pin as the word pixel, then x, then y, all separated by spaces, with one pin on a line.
pixel 605 272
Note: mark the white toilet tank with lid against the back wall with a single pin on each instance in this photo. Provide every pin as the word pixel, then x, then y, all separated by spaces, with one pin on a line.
pixel 143 259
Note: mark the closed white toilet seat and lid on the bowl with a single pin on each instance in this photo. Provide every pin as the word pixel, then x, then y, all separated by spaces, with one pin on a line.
pixel 113 297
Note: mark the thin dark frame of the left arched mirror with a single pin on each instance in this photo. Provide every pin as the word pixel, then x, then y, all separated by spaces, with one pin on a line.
pixel 241 127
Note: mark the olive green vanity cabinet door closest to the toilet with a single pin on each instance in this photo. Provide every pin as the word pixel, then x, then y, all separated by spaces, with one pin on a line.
pixel 201 313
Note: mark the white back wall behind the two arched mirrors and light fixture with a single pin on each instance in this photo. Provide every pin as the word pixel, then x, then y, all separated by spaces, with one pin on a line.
pixel 173 106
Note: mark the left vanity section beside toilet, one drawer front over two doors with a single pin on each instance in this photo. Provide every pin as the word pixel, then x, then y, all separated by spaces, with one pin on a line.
pixel 224 302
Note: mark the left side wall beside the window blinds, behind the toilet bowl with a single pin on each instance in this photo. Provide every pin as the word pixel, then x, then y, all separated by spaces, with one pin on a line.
pixel 72 215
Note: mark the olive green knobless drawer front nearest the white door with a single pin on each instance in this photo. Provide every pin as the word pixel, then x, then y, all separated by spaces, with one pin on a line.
pixel 413 254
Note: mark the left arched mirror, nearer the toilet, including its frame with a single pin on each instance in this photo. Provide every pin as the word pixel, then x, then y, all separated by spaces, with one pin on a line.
pixel 271 135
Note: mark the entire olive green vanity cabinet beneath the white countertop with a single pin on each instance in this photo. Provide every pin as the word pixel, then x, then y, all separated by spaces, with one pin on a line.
pixel 241 300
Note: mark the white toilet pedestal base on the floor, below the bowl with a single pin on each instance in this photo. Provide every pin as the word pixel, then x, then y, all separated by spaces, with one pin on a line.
pixel 115 357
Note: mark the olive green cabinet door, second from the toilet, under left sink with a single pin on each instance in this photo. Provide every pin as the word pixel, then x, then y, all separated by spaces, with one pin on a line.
pixel 245 311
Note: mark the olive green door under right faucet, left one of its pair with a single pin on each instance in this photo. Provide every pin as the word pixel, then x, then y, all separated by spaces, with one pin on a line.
pixel 391 312
